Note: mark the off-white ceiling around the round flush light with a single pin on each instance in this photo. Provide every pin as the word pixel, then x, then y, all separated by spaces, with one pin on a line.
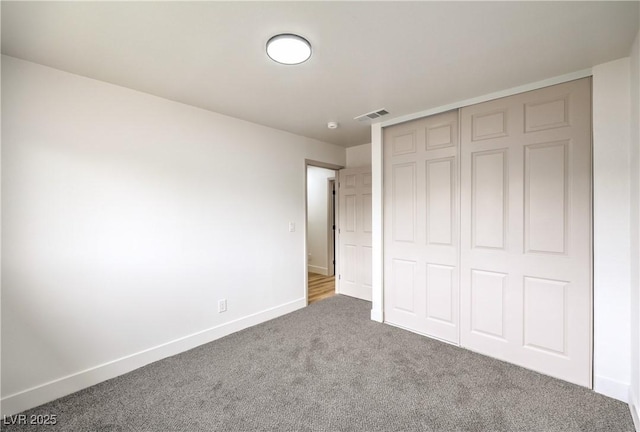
pixel 402 56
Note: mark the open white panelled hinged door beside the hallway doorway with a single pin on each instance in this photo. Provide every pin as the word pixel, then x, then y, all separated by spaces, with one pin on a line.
pixel 354 233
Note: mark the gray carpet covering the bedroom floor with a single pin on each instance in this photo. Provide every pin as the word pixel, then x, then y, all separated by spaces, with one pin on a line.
pixel 329 368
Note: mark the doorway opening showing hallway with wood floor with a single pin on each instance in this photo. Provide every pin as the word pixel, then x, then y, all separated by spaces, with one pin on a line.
pixel 321 230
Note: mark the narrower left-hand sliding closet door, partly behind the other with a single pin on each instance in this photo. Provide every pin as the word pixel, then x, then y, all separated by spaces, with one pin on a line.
pixel 421 226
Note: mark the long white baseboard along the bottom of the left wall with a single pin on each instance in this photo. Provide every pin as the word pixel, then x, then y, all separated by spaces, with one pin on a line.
pixel 52 390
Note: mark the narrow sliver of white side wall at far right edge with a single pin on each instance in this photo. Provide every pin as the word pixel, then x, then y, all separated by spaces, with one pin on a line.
pixel 634 394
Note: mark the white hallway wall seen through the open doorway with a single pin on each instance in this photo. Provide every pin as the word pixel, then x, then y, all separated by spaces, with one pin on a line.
pixel 317 218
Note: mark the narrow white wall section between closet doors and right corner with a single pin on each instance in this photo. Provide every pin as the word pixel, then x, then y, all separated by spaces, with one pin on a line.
pixel 611 228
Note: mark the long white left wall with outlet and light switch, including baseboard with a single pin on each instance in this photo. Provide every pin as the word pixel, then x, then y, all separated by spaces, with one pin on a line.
pixel 126 217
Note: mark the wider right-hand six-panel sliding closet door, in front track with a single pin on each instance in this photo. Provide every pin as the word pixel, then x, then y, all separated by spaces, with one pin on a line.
pixel 525 272
